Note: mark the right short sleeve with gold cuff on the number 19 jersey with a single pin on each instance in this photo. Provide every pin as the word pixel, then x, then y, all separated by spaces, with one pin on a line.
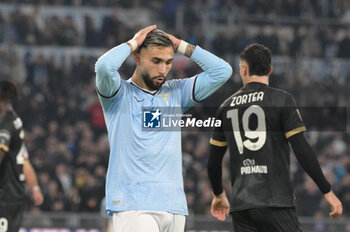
pixel 292 121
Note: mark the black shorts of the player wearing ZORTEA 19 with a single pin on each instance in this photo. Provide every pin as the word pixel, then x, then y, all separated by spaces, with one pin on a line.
pixel 266 220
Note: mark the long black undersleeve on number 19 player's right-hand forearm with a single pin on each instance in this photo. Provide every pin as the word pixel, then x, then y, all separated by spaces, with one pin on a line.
pixel 308 161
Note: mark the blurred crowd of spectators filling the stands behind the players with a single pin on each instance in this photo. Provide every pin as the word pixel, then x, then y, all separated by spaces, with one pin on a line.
pixel 65 131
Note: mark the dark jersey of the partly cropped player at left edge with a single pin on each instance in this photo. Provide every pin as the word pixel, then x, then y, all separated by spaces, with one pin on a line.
pixel 12 189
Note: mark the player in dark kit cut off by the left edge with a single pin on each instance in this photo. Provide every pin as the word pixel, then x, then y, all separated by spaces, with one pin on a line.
pixel 15 168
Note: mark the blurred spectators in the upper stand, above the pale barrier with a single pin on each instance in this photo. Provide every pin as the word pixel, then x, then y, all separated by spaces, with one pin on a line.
pixel 62 27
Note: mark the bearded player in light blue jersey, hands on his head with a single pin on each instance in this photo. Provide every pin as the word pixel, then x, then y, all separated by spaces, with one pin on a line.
pixel 144 189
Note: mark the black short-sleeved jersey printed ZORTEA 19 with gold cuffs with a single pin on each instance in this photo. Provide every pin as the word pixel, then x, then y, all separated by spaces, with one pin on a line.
pixel 256 123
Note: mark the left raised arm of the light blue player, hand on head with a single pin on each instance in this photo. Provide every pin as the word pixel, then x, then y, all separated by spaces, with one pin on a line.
pixel 106 68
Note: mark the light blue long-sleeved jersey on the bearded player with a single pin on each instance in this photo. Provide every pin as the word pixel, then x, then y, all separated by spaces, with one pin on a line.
pixel 145 167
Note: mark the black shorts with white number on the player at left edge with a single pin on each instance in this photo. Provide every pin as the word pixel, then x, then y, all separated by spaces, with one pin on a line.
pixel 11 217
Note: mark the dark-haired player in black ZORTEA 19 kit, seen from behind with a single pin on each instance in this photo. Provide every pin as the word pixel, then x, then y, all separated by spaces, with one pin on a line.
pixel 258 123
